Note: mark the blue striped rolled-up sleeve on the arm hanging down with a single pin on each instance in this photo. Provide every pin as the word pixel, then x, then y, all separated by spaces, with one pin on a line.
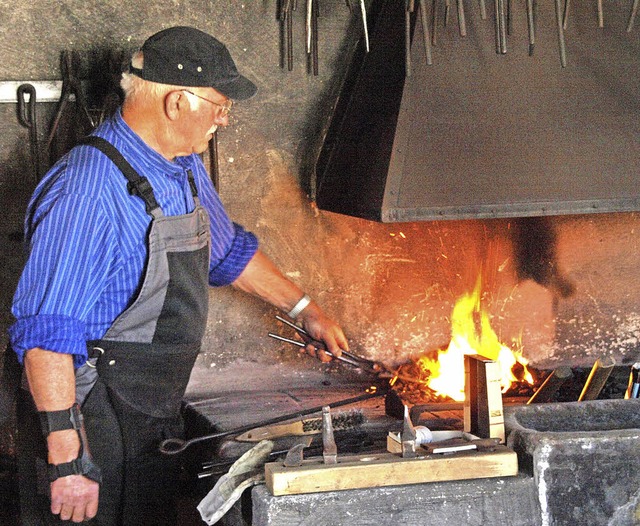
pixel 62 278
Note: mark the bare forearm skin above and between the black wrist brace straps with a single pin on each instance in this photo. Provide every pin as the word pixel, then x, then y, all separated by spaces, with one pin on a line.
pixel 52 383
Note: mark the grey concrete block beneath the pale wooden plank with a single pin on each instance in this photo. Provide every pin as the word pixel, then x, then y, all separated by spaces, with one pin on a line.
pixel 509 501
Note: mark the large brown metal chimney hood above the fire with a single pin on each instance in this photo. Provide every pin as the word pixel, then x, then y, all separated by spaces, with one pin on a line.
pixel 479 134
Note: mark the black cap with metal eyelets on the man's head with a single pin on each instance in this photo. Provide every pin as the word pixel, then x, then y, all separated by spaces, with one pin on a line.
pixel 185 56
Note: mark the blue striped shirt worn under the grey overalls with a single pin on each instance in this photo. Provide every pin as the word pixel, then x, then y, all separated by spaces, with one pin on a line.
pixel 87 239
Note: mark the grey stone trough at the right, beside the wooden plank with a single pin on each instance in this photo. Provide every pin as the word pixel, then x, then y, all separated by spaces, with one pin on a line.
pixel 584 457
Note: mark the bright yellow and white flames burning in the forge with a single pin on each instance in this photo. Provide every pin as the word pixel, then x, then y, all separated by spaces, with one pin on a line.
pixel 471 333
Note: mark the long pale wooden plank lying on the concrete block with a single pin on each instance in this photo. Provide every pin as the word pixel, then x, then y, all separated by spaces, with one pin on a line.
pixel 387 469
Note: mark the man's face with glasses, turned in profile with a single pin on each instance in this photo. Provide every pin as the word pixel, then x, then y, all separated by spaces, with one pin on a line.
pixel 207 110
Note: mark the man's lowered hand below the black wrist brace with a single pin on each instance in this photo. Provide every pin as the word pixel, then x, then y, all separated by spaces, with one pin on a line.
pixel 75 498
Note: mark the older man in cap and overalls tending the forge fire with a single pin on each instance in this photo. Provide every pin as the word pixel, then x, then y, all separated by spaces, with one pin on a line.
pixel 125 234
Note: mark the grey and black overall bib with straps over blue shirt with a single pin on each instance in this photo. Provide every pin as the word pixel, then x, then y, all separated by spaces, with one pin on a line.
pixel 147 354
